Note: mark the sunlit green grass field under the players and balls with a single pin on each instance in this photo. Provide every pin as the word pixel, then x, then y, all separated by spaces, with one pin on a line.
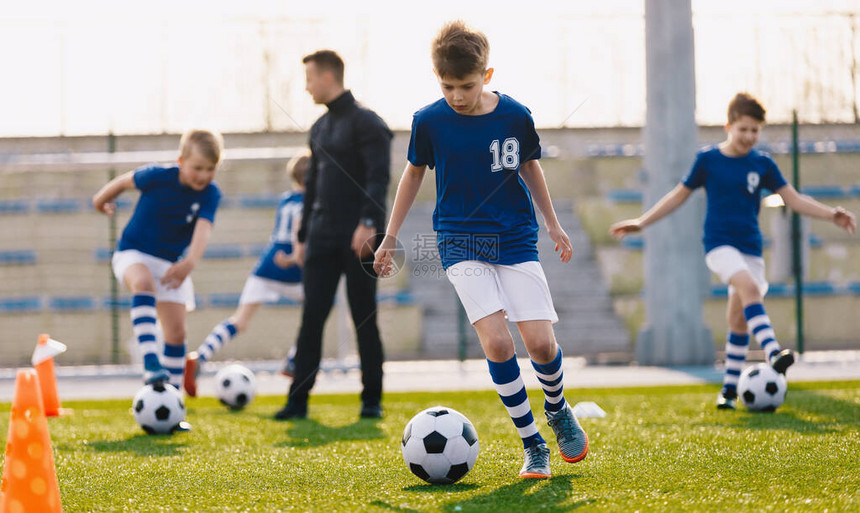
pixel 658 449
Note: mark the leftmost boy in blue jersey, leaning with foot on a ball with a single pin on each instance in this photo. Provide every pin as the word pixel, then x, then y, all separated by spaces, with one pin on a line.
pixel 175 212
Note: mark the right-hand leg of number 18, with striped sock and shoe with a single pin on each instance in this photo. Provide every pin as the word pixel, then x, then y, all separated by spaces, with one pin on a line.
pixel 546 356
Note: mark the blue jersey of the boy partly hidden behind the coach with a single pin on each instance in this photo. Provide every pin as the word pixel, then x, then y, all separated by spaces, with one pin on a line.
pixel 287 220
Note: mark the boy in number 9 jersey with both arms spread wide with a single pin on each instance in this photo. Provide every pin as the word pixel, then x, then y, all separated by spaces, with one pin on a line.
pixel 733 175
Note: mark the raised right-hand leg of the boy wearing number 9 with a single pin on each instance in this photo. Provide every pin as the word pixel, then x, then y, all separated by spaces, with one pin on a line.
pixel 759 322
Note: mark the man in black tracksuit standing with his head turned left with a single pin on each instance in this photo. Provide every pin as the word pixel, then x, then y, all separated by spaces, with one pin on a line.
pixel 342 221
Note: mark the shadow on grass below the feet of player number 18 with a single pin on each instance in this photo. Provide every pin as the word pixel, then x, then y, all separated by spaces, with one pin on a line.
pixel 525 495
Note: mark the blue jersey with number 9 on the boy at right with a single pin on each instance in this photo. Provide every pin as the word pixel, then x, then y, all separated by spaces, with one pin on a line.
pixel 733 186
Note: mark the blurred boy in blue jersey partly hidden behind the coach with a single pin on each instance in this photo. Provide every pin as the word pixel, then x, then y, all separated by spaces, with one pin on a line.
pixel 276 275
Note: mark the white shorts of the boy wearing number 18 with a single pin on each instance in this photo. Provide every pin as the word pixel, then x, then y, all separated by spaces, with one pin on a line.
pixel 520 290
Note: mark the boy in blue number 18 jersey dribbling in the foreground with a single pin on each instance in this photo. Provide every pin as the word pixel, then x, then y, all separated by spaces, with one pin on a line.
pixel 484 149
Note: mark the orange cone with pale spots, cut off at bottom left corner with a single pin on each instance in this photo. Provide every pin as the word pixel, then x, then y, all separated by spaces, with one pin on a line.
pixel 29 478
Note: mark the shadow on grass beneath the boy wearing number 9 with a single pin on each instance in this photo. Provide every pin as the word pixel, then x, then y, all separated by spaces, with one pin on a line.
pixel 832 414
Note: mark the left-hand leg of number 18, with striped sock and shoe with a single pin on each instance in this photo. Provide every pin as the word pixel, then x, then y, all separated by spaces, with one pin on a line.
pixel 505 371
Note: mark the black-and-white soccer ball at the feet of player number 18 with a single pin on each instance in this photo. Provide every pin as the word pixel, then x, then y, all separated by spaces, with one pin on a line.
pixel 439 445
